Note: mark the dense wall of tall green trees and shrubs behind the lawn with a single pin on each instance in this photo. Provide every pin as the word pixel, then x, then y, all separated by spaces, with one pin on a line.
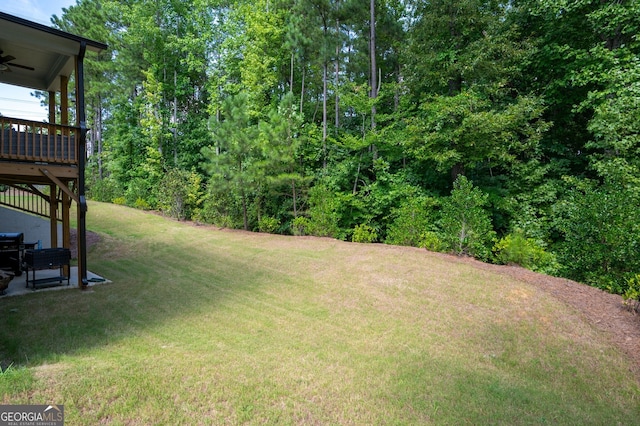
pixel 504 130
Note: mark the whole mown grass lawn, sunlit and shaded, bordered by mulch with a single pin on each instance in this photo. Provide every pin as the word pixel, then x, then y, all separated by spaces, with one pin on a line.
pixel 202 326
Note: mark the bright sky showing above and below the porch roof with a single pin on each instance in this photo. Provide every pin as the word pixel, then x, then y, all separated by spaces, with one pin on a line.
pixel 16 101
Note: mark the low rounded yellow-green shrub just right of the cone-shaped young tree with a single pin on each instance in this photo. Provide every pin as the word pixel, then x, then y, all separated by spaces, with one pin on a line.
pixel 517 249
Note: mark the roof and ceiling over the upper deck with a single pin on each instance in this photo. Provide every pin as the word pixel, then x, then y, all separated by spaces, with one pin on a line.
pixel 48 51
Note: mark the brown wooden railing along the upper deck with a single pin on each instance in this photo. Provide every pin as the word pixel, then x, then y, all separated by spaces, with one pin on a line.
pixel 38 142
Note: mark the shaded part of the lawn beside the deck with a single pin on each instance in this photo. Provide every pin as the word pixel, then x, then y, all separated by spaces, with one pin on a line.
pixel 154 282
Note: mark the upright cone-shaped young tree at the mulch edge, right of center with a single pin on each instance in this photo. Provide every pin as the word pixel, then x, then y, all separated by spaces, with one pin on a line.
pixel 465 224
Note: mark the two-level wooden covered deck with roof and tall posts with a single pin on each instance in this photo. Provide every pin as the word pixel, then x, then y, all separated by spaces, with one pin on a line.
pixel 42 164
